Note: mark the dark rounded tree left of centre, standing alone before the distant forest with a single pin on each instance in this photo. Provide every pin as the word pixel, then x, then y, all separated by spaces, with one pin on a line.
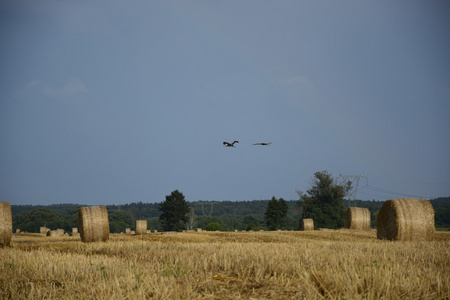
pixel 175 211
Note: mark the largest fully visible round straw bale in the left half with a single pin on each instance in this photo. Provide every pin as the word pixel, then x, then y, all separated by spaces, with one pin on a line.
pixel 93 223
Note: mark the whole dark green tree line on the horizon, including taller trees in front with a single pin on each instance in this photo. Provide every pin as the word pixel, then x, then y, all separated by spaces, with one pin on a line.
pixel 324 202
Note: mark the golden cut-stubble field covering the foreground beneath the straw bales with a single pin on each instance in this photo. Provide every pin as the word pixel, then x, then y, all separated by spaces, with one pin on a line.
pixel 335 264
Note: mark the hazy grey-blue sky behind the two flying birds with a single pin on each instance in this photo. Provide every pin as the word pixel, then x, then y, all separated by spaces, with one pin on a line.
pixel 113 102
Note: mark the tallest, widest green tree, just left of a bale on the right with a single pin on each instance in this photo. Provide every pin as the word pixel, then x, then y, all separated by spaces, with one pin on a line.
pixel 324 201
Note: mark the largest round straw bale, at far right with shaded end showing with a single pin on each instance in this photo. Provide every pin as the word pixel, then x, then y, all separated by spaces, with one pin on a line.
pixel 406 219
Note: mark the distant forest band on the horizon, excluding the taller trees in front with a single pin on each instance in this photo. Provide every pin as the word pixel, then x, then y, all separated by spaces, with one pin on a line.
pixel 231 215
